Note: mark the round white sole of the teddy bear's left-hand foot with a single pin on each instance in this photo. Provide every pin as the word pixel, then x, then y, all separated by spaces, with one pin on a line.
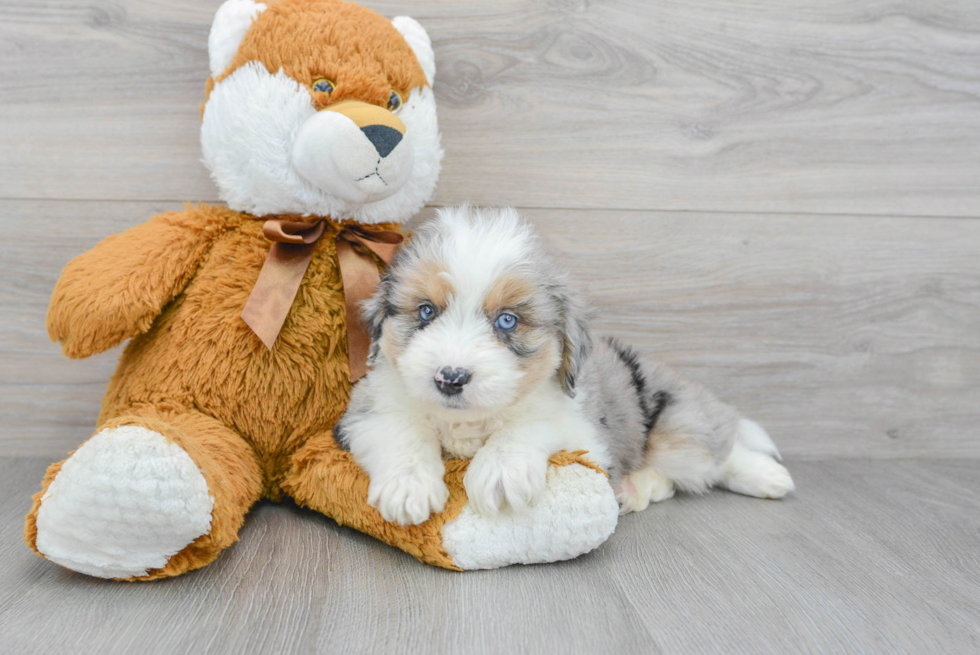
pixel 123 504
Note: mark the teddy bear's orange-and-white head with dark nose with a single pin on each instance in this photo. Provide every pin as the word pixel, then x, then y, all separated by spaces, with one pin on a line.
pixel 320 107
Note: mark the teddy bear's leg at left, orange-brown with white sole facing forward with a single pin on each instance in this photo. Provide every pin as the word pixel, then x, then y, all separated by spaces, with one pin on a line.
pixel 153 494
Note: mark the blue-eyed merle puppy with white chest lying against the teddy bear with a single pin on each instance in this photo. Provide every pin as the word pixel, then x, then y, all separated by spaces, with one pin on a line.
pixel 480 349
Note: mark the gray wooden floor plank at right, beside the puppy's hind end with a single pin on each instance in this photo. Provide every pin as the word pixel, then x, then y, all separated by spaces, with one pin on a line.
pixel 833 570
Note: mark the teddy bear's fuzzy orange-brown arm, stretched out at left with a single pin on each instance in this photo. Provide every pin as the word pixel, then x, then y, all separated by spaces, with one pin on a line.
pixel 115 290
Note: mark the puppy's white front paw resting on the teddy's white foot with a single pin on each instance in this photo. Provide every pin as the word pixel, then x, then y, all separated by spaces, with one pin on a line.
pixel 498 476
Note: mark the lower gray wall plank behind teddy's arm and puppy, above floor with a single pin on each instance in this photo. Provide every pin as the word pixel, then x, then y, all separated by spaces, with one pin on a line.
pixel 845 336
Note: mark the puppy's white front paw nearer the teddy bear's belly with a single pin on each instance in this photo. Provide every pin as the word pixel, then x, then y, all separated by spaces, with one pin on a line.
pixel 408 498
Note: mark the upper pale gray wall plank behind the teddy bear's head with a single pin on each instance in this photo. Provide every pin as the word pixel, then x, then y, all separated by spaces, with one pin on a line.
pixel 837 106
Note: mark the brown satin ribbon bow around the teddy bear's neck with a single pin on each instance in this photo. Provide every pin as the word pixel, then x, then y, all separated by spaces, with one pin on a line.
pixel 293 243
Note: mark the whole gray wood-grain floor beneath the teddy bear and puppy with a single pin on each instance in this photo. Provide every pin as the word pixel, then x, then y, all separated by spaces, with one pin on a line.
pixel 869 556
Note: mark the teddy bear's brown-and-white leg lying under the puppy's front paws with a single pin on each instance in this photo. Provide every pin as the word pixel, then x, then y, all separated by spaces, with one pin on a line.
pixel 576 513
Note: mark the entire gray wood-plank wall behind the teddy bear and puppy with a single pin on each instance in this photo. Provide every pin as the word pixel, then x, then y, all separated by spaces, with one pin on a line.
pixel 779 198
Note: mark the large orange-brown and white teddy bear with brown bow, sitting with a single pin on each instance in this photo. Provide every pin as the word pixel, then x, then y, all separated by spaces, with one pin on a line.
pixel 319 129
